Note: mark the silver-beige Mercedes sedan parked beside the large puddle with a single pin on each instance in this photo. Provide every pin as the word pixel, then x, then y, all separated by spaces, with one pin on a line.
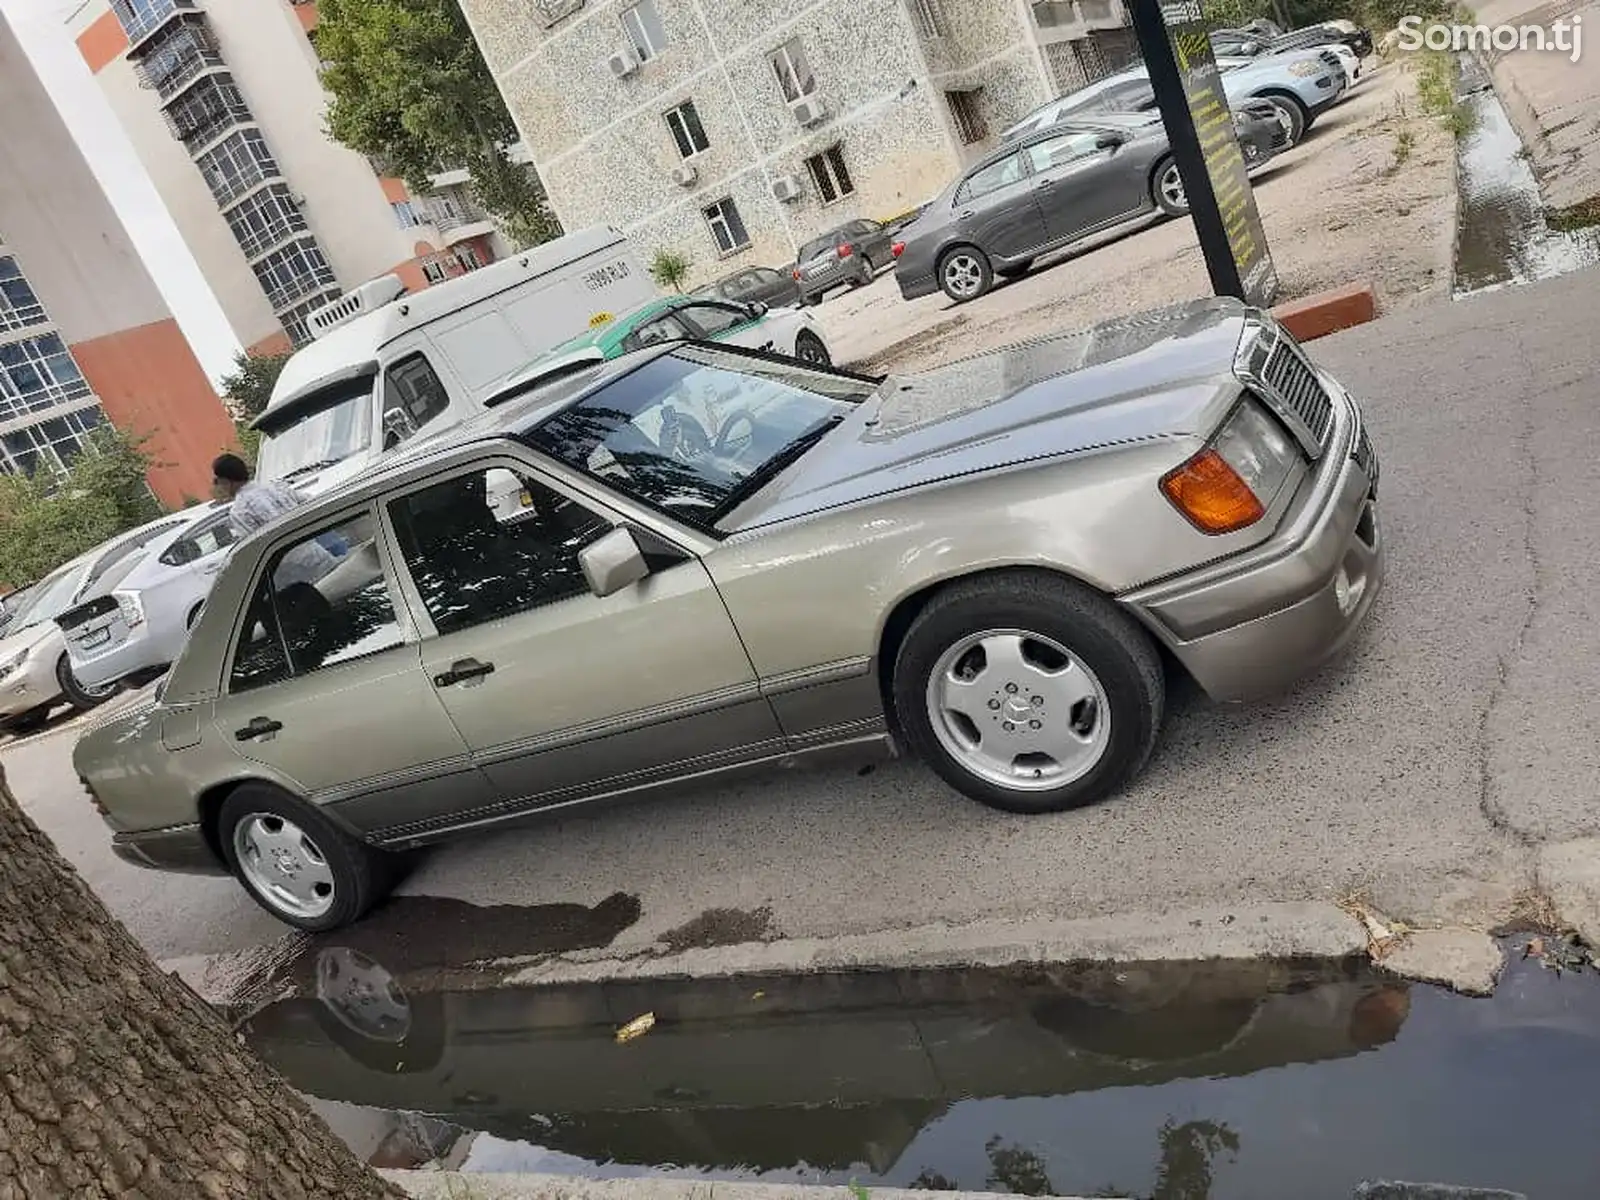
pixel 983 564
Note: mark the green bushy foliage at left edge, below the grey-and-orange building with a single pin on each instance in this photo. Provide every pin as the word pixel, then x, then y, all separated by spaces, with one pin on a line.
pixel 52 518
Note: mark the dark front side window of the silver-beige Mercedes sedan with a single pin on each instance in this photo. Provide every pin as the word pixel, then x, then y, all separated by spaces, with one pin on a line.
pixel 492 543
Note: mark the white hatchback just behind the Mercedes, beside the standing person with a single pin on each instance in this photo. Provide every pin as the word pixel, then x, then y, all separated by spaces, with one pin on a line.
pixel 135 631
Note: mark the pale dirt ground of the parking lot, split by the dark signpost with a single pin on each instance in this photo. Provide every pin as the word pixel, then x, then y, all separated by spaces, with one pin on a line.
pixel 1367 196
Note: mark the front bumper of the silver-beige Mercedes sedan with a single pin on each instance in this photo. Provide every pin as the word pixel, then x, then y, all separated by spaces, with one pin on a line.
pixel 1254 625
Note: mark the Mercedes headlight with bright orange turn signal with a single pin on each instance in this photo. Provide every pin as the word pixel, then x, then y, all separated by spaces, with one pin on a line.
pixel 1233 481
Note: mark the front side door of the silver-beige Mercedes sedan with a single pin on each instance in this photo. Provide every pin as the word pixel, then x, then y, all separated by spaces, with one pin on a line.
pixel 558 692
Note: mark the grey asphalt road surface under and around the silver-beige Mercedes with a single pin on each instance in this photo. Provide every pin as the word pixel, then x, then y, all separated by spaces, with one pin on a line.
pixel 1425 769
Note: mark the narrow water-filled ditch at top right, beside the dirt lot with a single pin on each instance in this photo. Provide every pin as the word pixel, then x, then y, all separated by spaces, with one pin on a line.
pixel 1503 236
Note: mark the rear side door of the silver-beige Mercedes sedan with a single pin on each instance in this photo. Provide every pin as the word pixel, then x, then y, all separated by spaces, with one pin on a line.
pixel 326 687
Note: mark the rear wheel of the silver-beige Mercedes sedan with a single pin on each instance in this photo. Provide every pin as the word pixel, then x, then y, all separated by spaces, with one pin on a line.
pixel 260 822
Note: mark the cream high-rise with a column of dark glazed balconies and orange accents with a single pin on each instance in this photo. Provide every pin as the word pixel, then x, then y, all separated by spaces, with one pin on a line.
pixel 225 108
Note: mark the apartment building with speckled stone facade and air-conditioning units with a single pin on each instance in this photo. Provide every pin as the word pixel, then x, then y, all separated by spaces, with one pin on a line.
pixel 735 130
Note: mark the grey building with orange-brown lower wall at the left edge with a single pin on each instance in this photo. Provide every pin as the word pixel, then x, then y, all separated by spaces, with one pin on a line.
pixel 86 337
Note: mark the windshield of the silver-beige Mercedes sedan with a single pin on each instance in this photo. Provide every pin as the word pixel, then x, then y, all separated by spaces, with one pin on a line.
pixel 697 431
